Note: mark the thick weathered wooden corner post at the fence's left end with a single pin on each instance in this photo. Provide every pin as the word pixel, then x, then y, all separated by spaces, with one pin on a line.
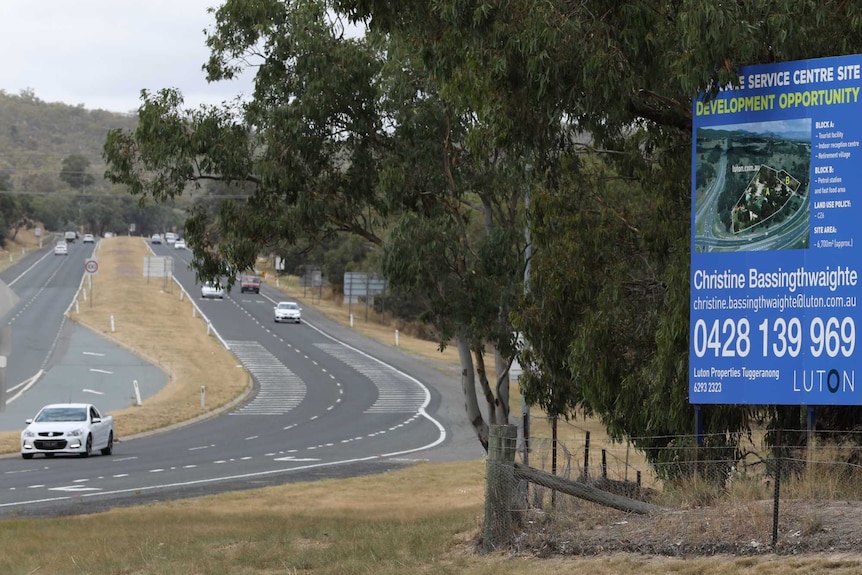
pixel 499 486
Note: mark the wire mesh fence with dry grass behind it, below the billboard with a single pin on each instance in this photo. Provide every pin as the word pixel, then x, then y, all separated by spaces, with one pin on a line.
pixel 705 494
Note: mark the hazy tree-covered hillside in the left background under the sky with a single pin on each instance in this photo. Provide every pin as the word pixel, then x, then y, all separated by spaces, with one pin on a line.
pixel 52 172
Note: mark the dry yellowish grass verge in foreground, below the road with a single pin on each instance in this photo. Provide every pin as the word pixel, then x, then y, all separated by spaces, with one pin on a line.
pixel 422 519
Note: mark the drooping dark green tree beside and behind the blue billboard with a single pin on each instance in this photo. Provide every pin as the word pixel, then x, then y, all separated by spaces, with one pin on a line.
pixel 608 305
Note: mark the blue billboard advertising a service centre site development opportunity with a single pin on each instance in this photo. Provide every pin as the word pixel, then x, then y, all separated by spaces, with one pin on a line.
pixel 775 261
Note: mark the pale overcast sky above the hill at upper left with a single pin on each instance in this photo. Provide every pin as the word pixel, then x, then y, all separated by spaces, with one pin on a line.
pixel 102 53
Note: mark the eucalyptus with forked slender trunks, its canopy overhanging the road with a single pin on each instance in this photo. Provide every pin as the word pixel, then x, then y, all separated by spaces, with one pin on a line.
pixel 343 134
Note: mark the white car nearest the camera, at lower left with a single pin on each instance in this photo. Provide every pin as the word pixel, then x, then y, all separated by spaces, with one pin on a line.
pixel 68 428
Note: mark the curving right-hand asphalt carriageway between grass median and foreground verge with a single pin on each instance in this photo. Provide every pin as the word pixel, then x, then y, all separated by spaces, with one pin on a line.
pixel 328 403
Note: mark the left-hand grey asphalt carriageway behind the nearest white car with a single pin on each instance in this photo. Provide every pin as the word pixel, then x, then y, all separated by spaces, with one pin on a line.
pixel 53 359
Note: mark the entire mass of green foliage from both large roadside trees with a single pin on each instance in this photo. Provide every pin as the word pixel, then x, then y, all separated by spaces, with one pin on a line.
pixel 423 136
